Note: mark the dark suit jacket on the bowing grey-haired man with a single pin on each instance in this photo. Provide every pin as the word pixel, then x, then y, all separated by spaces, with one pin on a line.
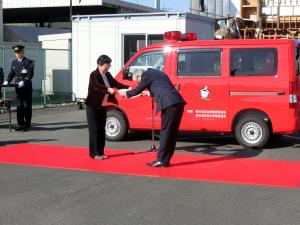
pixel 160 87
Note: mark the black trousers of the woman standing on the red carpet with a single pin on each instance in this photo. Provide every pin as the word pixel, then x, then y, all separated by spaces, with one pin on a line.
pixel 96 119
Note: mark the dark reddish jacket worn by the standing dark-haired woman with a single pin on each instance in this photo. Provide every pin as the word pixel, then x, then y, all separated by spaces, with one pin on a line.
pixel 97 89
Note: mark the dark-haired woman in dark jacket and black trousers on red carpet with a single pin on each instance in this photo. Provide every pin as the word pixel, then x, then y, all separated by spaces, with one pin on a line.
pixel 100 91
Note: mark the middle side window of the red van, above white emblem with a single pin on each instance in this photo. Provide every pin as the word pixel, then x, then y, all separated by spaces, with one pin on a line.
pixel 199 62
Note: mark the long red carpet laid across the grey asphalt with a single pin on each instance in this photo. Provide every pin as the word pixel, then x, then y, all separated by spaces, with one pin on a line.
pixel 189 167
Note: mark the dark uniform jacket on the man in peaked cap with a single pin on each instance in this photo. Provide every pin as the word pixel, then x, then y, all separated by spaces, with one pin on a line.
pixel 22 71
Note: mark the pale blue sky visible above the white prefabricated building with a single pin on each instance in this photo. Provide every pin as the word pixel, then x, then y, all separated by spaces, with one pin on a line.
pixel 170 5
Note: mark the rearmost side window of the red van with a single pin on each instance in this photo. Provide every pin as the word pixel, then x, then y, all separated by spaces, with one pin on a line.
pixel 253 62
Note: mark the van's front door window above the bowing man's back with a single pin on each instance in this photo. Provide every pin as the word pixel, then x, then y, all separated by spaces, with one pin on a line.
pixel 154 60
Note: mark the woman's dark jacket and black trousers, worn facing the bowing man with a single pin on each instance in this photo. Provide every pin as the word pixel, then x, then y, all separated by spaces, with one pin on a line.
pixel 96 113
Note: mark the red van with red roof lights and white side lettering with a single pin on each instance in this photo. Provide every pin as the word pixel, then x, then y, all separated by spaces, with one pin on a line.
pixel 250 88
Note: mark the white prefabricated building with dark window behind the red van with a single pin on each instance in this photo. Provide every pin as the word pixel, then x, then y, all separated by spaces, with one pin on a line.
pixel 120 35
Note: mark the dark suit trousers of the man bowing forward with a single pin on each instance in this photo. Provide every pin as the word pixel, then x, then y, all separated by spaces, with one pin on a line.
pixel 170 122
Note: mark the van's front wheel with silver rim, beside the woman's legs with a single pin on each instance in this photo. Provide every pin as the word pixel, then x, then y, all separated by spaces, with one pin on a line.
pixel 116 127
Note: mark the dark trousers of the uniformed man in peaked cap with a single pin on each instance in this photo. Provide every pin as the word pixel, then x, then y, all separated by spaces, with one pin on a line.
pixel 24 107
